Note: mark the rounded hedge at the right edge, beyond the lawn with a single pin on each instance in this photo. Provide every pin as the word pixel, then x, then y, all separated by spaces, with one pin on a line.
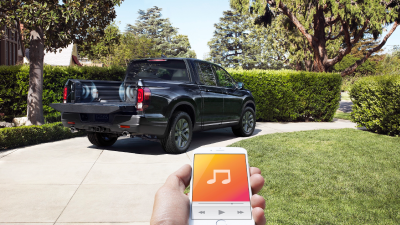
pixel 377 103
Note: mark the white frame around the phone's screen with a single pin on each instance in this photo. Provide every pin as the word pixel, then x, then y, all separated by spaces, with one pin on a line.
pixel 220 150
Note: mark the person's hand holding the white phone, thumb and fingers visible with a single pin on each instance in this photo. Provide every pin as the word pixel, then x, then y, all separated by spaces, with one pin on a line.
pixel 172 206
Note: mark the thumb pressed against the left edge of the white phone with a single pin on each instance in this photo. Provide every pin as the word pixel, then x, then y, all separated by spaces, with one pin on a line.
pixel 181 178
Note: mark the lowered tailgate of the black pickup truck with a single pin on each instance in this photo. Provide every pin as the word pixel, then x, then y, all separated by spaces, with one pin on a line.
pixel 101 108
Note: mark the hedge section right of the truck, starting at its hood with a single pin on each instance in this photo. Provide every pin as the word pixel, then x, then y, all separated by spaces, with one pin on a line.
pixel 287 95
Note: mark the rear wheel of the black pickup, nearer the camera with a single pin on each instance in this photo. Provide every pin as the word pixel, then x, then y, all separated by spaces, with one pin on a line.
pixel 179 134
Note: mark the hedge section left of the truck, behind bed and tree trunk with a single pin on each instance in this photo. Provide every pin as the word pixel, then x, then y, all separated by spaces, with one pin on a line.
pixel 14 83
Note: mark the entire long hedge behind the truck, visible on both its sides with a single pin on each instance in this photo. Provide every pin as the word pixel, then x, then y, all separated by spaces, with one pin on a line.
pixel 283 95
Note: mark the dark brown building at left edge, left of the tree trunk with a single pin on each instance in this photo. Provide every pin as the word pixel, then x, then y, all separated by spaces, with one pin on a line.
pixel 12 50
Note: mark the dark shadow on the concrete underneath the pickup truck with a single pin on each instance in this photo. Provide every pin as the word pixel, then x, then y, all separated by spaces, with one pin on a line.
pixel 139 146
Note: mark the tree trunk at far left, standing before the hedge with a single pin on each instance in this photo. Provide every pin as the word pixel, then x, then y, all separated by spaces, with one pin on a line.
pixel 36 55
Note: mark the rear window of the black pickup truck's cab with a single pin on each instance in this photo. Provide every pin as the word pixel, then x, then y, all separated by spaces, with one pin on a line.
pixel 157 69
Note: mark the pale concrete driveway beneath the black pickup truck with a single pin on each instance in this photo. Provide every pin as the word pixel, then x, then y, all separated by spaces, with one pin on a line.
pixel 71 181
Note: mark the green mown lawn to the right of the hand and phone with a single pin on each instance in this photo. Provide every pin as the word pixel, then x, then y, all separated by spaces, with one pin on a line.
pixel 343 176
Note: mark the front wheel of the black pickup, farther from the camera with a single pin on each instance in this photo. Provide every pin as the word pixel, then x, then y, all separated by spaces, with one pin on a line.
pixel 247 123
